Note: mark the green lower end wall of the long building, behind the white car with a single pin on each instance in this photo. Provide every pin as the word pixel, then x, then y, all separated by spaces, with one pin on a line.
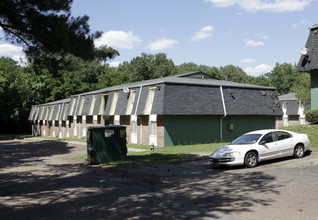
pixel 184 130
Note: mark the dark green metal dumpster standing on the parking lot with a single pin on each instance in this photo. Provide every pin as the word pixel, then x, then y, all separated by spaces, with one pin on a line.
pixel 106 144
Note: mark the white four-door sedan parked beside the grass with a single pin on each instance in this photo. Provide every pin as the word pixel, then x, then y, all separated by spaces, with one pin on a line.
pixel 253 147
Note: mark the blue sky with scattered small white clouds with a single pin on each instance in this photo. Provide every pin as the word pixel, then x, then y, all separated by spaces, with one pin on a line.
pixel 251 34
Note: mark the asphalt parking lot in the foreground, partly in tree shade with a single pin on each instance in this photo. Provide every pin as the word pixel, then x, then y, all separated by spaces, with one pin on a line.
pixel 42 179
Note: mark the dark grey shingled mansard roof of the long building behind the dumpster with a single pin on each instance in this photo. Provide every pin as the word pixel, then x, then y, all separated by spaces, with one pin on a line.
pixel 187 94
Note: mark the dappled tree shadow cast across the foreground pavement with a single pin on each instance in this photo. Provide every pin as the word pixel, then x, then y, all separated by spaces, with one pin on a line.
pixel 190 190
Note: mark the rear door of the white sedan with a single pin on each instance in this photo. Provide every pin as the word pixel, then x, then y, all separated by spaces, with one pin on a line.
pixel 285 143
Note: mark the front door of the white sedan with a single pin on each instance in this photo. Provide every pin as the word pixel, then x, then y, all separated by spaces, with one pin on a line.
pixel 268 146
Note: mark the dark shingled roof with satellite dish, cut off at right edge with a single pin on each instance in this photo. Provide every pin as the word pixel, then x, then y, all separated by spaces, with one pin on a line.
pixel 309 61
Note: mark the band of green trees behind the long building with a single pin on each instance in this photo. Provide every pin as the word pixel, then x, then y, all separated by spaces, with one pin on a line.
pixel 22 87
